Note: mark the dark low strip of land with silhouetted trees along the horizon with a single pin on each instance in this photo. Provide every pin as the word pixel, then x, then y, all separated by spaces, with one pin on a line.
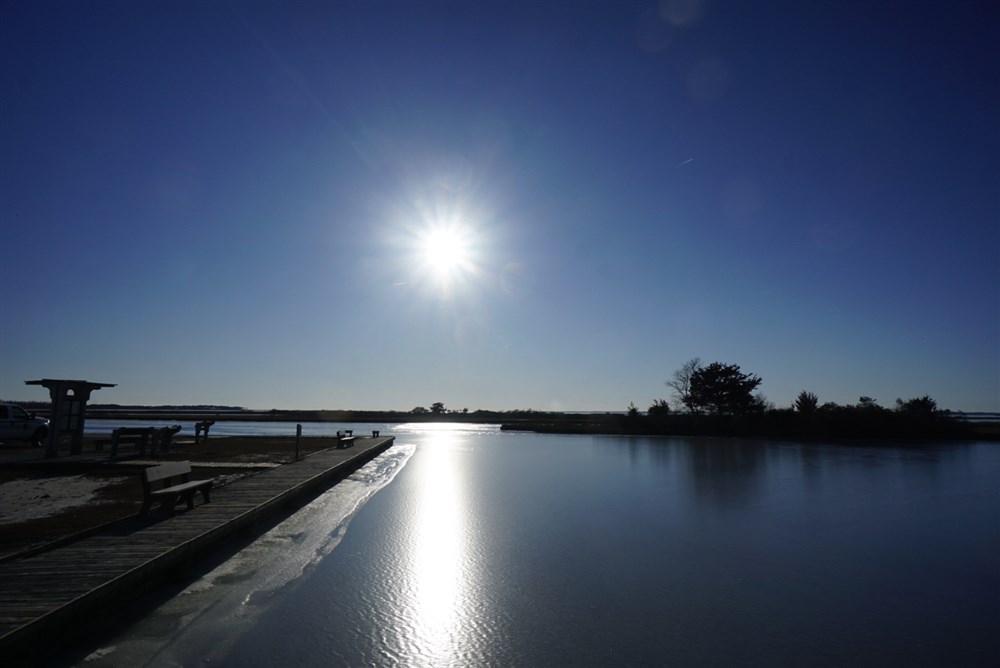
pixel 715 399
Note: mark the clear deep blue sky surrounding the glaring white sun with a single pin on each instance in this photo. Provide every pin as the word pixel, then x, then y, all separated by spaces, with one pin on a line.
pixel 228 203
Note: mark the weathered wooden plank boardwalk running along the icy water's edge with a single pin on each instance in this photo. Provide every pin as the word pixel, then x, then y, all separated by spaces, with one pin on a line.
pixel 45 595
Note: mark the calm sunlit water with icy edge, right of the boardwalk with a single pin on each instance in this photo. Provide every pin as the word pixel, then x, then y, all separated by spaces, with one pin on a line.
pixel 469 546
